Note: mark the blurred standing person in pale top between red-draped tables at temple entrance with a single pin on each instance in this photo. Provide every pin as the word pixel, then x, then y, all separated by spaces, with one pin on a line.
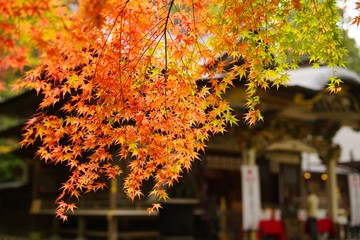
pixel 312 208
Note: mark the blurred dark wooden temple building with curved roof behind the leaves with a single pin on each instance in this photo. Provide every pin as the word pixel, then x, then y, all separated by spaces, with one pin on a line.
pixel 299 146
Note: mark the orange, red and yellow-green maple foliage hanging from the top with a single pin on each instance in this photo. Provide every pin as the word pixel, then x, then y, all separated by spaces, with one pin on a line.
pixel 142 81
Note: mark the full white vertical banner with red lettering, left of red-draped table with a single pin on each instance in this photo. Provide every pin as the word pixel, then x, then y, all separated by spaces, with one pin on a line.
pixel 250 197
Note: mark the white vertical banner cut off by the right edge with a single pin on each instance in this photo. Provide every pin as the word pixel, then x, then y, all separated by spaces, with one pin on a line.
pixel 354 191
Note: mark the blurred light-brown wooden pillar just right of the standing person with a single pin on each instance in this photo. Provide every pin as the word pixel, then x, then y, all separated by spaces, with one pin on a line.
pixel 332 189
